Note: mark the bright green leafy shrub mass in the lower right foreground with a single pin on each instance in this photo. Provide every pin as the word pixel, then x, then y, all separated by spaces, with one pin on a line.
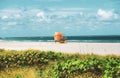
pixel 109 67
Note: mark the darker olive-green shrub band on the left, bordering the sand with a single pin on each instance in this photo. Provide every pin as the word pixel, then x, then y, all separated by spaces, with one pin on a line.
pixel 27 57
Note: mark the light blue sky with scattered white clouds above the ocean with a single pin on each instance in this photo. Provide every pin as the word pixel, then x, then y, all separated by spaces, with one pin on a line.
pixel 20 18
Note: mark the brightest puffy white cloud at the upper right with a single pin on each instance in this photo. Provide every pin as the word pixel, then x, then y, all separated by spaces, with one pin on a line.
pixel 106 14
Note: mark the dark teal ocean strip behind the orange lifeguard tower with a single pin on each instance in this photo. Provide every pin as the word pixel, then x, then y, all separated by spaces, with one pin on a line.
pixel 85 39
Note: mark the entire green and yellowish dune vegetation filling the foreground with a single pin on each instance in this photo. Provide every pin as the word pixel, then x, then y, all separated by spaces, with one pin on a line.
pixel 40 64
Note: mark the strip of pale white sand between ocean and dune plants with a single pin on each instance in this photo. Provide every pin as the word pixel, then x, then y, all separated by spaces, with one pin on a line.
pixel 84 48
